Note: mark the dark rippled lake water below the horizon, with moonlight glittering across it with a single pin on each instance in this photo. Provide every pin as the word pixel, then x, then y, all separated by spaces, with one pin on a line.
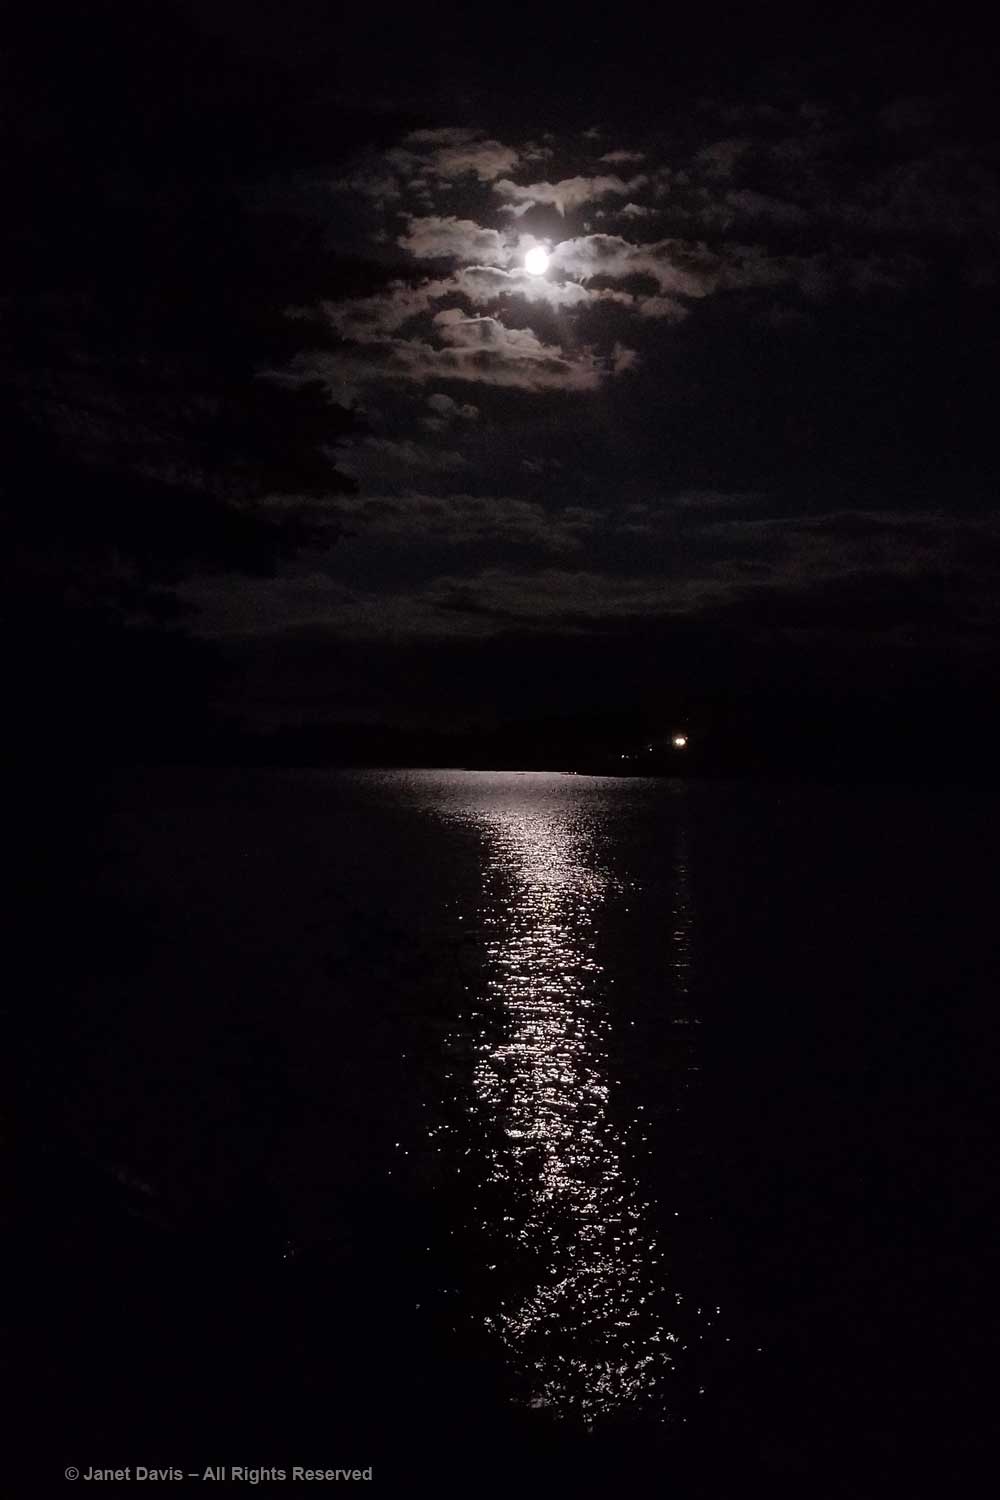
pixel 575 1109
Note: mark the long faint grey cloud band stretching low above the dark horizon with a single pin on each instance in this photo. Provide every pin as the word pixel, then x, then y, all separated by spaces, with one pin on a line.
pixel 875 572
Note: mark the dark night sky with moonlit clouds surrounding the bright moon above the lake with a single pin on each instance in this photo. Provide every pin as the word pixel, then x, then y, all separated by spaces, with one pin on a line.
pixel 741 436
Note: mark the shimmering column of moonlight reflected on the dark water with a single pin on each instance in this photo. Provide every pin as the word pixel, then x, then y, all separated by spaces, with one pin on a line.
pixel 584 1309
